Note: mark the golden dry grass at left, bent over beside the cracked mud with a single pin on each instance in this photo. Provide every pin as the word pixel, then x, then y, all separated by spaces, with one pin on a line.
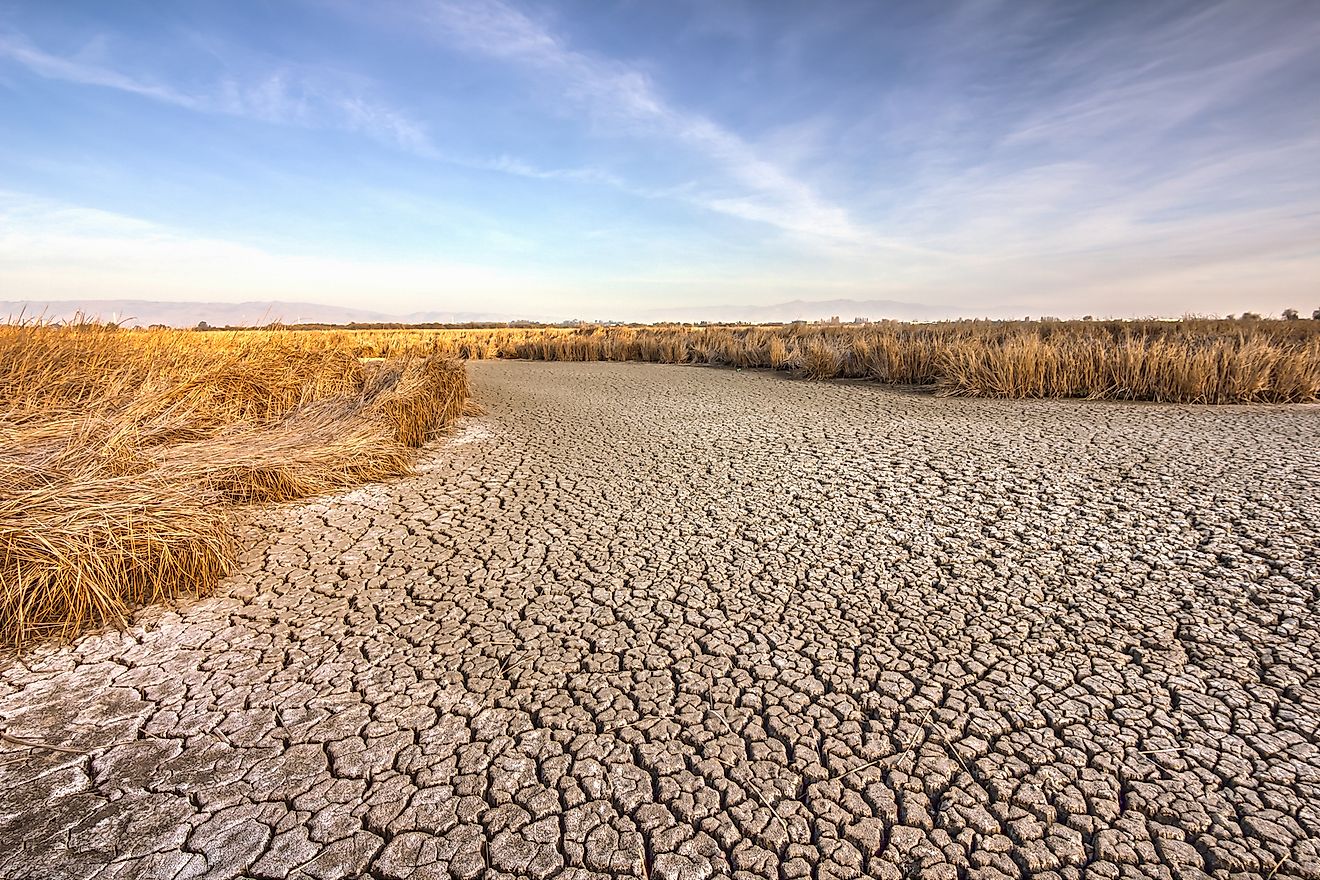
pixel 122 452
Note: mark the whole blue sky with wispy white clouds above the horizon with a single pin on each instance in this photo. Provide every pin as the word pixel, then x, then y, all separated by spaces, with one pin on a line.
pixel 625 159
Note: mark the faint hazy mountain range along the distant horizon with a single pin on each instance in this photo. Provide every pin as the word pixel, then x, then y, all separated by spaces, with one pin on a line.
pixel 244 315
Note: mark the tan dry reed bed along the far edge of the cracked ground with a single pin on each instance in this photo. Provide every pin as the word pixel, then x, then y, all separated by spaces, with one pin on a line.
pixel 1191 361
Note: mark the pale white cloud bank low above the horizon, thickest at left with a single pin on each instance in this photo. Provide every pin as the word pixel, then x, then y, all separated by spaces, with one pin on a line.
pixel 52 251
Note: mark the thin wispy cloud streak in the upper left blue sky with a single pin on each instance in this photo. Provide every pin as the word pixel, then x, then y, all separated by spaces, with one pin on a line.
pixel 286 96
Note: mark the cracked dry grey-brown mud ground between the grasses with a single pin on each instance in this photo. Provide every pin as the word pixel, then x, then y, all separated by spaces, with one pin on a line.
pixel 669 622
